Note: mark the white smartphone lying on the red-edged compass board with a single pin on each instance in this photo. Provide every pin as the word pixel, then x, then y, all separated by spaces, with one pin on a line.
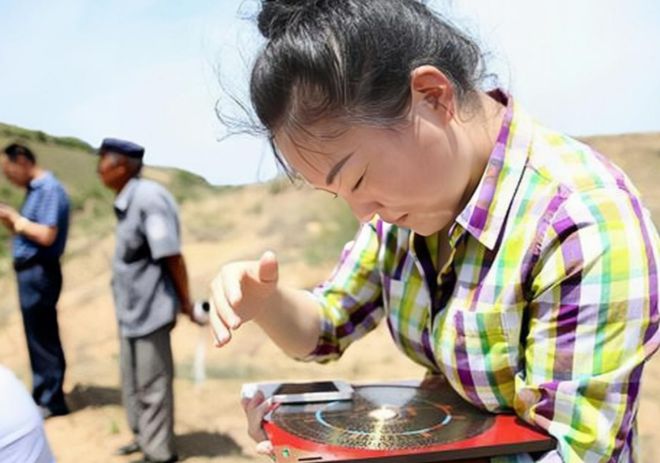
pixel 300 392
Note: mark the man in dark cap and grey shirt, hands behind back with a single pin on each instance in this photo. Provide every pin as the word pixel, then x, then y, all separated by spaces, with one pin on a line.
pixel 150 285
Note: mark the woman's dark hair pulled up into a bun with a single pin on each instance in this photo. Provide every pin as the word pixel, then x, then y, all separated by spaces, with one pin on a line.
pixel 351 60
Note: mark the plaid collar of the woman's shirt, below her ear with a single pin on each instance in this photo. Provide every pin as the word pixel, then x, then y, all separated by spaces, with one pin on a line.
pixel 484 215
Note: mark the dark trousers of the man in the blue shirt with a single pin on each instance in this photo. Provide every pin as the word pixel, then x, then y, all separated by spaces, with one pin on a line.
pixel 39 287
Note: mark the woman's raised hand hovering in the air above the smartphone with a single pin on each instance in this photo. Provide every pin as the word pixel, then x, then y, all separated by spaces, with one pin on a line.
pixel 240 292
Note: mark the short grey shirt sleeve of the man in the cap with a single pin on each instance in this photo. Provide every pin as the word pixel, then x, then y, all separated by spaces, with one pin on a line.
pixel 161 227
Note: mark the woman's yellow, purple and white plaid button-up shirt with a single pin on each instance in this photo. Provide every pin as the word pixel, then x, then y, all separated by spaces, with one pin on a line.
pixel 548 305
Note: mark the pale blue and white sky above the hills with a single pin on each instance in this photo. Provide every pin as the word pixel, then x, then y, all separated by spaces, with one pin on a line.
pixel 147 70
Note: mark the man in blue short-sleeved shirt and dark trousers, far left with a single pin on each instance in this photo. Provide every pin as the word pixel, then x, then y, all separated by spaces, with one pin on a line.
pixel 40 231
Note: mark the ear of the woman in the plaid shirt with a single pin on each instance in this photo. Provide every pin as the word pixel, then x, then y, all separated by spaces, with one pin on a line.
pixel 431 88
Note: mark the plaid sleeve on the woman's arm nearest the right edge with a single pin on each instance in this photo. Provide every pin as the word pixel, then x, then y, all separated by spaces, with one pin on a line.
pixel 593 322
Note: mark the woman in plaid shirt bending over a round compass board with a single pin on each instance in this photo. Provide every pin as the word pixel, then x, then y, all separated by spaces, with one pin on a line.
pixel 514 261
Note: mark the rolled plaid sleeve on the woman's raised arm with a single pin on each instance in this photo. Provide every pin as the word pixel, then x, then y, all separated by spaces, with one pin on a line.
pixel 350 300
